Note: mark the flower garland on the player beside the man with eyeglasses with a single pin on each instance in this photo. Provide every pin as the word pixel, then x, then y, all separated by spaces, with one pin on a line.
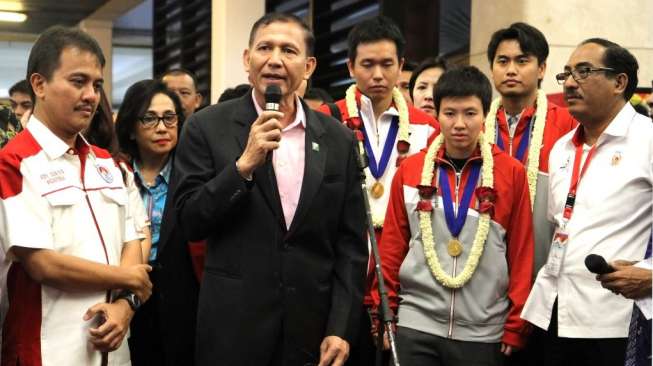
pixel 533 164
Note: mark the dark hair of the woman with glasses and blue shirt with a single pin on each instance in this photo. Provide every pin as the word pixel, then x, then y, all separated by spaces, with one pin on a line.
pixel 135 103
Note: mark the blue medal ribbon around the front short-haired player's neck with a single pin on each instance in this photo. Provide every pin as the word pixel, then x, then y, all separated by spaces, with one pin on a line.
pixel 455 223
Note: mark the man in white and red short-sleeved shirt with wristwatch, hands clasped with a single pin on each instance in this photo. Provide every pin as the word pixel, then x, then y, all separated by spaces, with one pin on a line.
pixel 64 221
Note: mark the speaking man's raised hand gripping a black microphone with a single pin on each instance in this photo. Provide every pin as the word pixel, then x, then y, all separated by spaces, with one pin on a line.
pixel 264 135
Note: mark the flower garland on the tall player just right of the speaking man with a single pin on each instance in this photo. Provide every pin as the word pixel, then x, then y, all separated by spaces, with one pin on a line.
pixel 355 123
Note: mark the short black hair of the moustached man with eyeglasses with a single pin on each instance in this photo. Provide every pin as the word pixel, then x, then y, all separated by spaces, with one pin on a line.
pixel 621 60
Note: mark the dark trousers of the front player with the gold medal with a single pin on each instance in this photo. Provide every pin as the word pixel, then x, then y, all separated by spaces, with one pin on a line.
pixel 416 348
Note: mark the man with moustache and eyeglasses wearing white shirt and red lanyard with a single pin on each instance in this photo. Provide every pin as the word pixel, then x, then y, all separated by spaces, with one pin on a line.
pixel 600 201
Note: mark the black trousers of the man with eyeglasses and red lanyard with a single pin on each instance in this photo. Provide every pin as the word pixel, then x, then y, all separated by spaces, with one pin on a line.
pixel 545 348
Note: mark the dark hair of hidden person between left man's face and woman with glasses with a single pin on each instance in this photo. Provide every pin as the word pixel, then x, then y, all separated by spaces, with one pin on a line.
pixel 101 132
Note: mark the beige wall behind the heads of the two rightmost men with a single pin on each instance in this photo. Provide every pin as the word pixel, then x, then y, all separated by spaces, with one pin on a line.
pixel 565 24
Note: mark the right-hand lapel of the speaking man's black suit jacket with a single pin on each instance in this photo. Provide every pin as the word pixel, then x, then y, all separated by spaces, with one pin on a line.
pixel 314 163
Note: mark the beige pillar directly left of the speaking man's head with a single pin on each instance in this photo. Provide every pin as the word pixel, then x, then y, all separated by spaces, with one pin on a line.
pixel 230 25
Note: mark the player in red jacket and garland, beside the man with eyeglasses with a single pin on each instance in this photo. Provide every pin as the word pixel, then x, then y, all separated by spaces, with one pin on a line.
pixel 517 57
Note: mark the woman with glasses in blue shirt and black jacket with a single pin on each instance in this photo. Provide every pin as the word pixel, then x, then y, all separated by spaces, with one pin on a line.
pixel 148 126
